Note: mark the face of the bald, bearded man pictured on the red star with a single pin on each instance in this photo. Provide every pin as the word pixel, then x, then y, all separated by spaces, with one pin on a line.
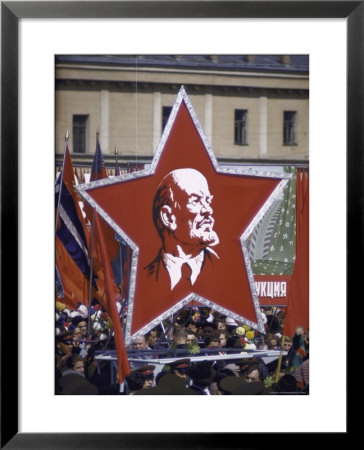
pixel 193 211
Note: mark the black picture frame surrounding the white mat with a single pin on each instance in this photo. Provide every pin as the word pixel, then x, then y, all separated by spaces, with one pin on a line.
pixel 11 13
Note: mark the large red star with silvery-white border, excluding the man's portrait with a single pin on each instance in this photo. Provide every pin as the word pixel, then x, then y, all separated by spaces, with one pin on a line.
pixel 240 199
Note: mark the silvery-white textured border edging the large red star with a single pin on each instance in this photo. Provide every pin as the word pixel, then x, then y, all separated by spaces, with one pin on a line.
pixel 82 189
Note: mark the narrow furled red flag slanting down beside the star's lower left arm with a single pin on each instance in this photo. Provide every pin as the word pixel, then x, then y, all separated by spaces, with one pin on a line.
pixel 109 303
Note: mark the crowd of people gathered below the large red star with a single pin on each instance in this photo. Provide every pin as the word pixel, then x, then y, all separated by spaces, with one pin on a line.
pixel 229 355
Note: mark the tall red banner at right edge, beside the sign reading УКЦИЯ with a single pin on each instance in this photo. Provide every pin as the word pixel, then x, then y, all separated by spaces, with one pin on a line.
pixel 298 300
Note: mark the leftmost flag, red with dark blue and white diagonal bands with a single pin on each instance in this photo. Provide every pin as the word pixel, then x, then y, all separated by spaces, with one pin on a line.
pixel 72 254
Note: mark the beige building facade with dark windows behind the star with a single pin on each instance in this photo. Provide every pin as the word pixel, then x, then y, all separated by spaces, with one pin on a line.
pixel 252 108
